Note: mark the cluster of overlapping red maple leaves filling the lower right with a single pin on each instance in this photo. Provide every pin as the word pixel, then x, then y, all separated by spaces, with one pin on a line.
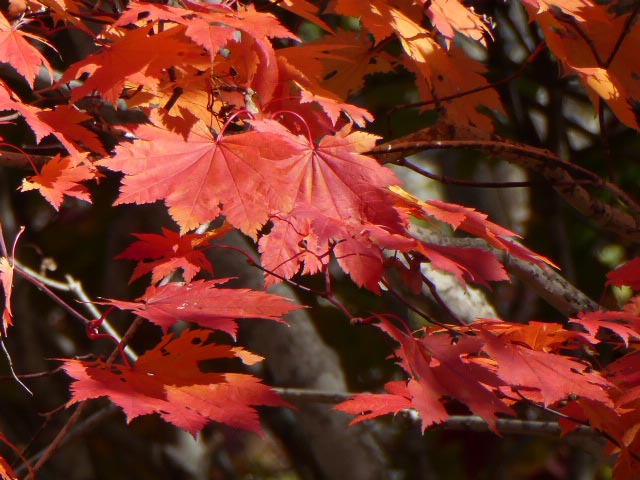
pixel 491 364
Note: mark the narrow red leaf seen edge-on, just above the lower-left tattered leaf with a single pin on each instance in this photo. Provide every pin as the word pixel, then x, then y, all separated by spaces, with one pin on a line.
pixel 202 302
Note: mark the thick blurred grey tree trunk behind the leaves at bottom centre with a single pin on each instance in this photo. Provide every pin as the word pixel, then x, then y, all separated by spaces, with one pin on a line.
pixel 296 356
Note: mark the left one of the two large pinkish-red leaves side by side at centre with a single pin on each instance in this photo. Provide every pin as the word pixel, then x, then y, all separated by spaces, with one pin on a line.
pixel 242 172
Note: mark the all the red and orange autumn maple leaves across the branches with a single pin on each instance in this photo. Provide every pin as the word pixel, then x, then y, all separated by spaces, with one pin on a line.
pixel 286 166
